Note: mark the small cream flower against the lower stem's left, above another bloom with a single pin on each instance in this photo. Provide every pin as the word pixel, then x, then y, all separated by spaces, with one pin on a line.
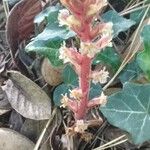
pixel 76 94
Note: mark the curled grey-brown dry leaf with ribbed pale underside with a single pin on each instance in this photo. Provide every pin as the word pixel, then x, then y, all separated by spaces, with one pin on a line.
pixel 26 97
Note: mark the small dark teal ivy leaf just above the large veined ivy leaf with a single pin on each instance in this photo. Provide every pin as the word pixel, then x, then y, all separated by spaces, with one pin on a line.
pixel 130 72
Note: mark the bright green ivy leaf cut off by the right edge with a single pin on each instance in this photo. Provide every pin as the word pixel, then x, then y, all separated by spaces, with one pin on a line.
pixel 143 58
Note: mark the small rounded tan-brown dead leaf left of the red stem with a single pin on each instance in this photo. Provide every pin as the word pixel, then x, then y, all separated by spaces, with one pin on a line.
pixel 53 76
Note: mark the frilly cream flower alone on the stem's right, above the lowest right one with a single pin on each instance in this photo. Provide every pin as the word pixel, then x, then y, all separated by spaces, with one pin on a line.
pixel 100 76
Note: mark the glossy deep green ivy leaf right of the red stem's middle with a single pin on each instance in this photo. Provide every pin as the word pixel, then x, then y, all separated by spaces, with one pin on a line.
pixel 109 57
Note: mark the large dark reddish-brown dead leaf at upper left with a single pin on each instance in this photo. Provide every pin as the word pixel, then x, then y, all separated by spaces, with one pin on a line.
pixel 20 22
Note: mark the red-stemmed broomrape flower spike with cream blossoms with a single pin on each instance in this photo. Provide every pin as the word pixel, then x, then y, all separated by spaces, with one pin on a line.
pixel 79 17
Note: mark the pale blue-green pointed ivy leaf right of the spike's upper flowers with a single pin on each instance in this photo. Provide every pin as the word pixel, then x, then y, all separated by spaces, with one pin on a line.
pixel 120 24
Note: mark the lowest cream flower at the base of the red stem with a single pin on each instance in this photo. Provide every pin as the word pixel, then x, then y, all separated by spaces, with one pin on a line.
pixel 81 126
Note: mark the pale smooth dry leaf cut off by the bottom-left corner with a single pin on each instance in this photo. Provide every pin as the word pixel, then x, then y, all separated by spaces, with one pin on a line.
pixel 12 140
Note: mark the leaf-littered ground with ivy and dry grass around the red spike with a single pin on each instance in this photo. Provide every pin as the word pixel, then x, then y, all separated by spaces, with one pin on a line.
pixel 33 78
